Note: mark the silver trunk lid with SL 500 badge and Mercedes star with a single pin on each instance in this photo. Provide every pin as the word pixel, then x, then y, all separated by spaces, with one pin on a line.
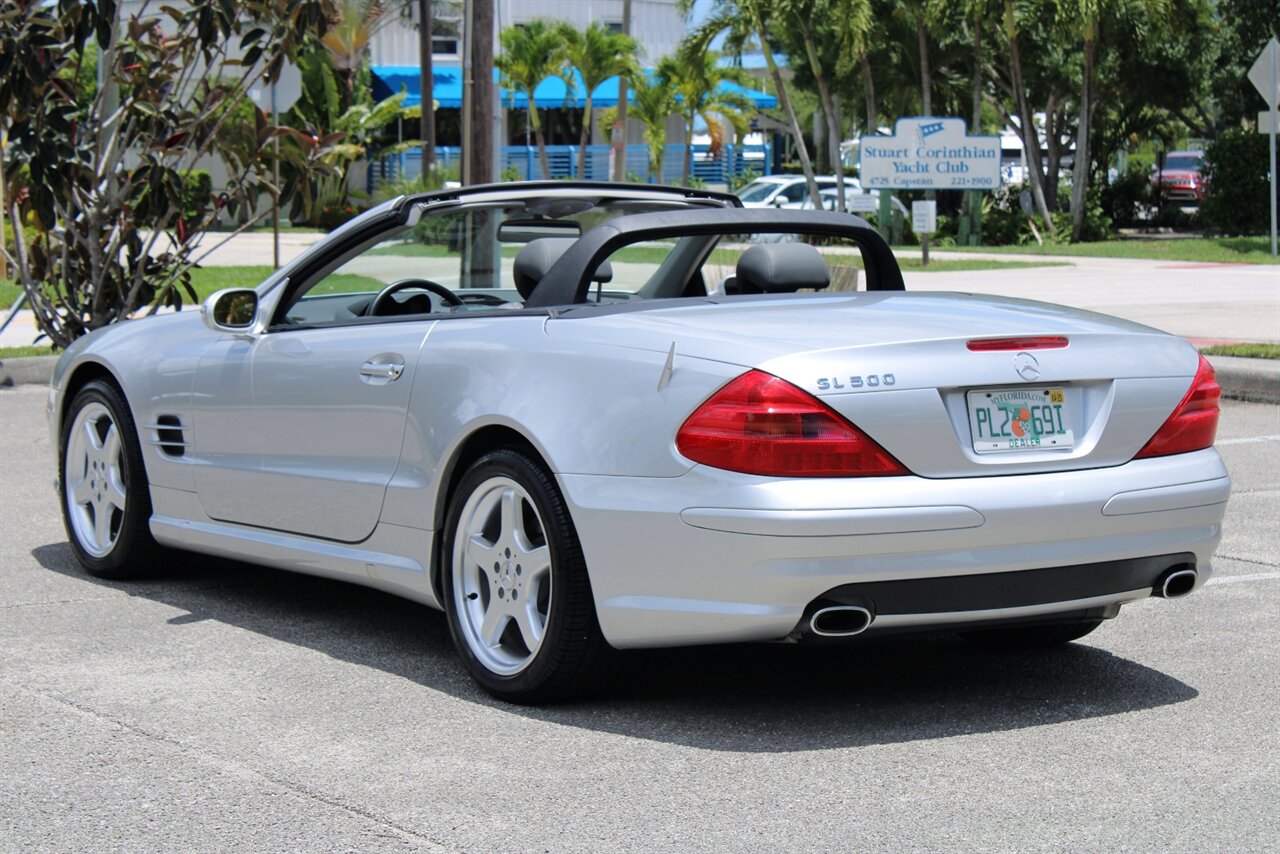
pixel 899 368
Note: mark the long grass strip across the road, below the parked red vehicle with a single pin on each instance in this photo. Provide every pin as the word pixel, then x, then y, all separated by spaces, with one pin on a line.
pixel 1220 250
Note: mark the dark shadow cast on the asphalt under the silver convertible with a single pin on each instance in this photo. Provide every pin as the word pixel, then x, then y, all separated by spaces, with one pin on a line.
pixel 758 698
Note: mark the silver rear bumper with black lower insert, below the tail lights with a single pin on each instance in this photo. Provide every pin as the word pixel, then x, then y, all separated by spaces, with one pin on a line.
pixel 715 558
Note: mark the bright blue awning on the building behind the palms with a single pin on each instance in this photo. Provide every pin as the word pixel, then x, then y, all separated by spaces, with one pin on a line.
pixel 551 94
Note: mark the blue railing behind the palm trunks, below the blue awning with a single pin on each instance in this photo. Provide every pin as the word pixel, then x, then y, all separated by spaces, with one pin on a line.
pixel 732 165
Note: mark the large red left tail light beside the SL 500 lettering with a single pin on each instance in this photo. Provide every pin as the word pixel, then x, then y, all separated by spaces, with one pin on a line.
pixel 764 426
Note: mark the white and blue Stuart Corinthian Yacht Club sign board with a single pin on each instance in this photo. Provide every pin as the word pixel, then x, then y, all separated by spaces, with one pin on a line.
pixel 927 153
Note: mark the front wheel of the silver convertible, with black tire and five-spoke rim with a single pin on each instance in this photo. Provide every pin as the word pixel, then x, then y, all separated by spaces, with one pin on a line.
pixel 109 541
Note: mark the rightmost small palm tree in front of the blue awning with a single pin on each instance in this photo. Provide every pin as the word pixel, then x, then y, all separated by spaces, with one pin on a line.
pixel 698 85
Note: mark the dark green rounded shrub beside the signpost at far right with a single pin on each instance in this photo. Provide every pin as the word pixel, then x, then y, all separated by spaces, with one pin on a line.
pixel 1238 199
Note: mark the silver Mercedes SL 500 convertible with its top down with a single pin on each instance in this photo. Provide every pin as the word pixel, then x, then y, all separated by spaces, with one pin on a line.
pixel 591 418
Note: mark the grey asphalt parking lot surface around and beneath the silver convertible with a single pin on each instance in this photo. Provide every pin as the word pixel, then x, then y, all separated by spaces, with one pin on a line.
pixel 228 707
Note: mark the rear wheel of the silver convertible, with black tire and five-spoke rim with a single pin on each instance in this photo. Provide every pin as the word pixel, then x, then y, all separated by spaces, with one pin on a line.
pixel 537 558
